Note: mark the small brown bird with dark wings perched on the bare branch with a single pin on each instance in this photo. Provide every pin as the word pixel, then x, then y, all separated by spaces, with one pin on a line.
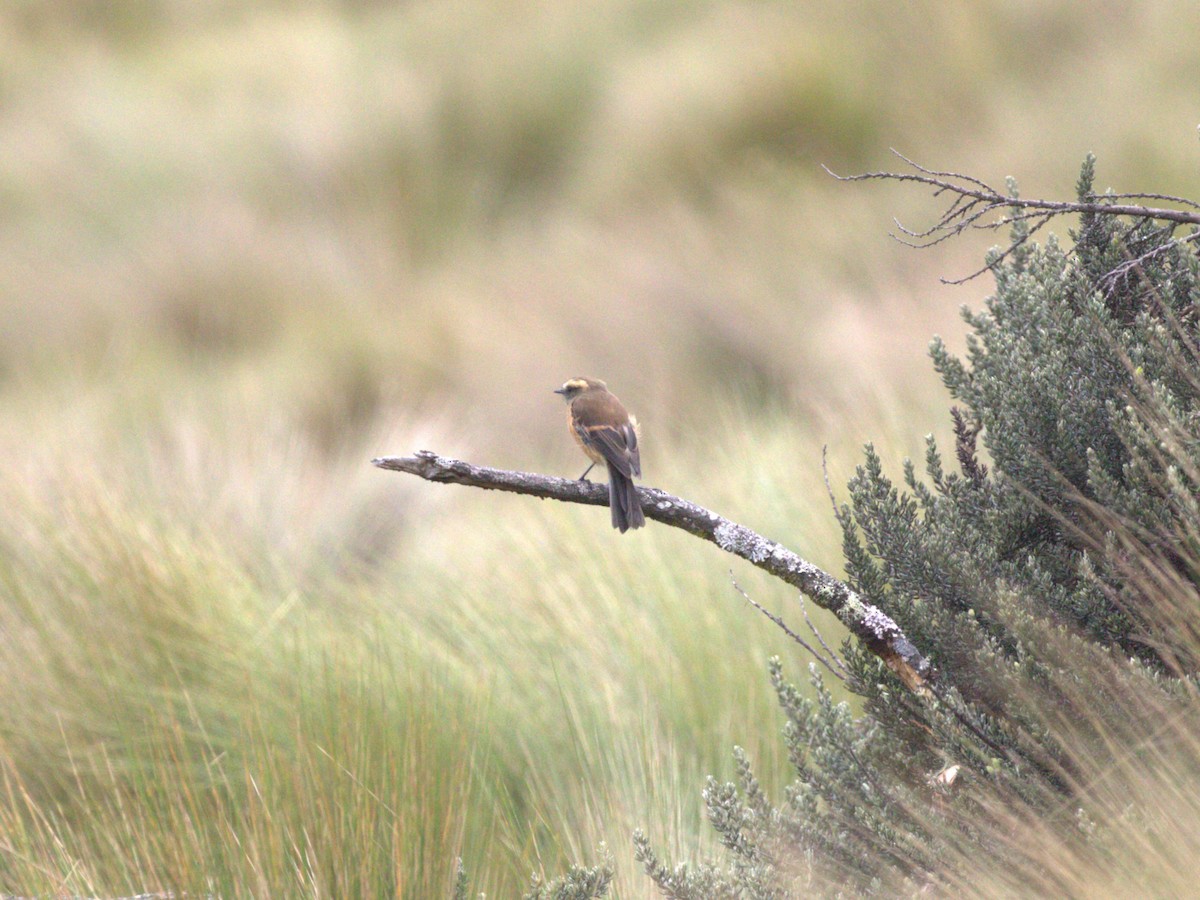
pixel 609 435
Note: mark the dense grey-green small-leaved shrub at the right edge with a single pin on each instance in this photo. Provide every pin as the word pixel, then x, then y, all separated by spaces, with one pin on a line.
pixel 1051 577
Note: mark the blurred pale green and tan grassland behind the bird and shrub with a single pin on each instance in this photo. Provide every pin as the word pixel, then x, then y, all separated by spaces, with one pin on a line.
pixel 249 247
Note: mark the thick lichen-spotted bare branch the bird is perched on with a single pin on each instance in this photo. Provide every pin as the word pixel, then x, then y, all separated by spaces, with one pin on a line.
pixel 873 627
